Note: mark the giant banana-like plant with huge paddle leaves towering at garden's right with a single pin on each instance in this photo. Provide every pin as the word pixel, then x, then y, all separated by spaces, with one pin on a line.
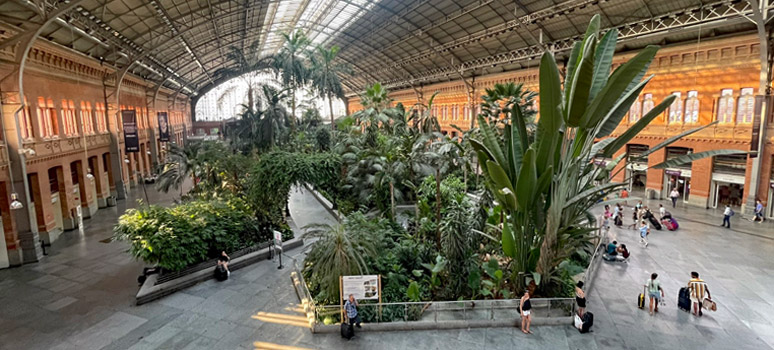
pixel 547 184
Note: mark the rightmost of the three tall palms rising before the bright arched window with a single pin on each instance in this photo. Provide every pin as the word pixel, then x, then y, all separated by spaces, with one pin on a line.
pixel 326 75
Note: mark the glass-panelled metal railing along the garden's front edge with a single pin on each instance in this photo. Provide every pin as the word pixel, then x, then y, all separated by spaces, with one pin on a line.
pixel 439 311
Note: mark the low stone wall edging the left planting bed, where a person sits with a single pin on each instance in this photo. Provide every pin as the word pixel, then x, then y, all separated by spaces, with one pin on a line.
pixel 150 291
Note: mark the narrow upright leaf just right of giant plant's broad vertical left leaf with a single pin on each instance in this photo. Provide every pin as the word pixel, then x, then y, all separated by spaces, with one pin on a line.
pixel 581 86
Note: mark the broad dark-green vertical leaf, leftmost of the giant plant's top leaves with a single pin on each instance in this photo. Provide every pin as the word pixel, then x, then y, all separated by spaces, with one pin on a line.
pixel 550 111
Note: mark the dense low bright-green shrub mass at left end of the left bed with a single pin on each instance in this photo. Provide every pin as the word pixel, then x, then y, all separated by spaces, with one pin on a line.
pixel 174 238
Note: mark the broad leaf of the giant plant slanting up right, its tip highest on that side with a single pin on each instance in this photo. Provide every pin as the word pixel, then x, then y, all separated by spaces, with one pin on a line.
pixel 617 86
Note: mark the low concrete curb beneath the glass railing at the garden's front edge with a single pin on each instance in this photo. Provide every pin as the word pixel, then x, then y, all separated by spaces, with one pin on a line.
pixel 450 324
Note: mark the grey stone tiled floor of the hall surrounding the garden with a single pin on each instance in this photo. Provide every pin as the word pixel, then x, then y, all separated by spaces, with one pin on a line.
pixel 81 297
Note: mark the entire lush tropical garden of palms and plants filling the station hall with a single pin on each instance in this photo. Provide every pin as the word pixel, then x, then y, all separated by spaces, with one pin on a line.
pixel 496 210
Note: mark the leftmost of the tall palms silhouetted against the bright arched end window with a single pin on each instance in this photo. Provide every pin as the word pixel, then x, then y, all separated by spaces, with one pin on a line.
pixel 245 62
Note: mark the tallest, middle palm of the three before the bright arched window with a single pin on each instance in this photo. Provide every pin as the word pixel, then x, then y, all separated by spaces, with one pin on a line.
pixel 291 65
